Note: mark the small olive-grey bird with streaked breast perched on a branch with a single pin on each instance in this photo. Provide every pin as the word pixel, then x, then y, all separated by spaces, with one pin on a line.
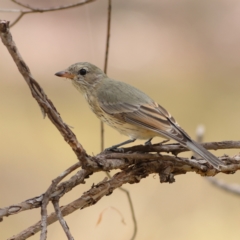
pixel 129 110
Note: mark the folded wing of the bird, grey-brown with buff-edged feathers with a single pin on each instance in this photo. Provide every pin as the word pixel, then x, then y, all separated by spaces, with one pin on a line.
pixel 150 116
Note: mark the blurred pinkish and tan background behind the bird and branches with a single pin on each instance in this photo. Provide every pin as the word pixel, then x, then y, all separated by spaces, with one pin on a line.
pixel 183 53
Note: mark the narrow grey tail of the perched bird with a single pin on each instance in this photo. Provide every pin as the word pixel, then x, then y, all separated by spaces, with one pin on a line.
pixel 200 150
